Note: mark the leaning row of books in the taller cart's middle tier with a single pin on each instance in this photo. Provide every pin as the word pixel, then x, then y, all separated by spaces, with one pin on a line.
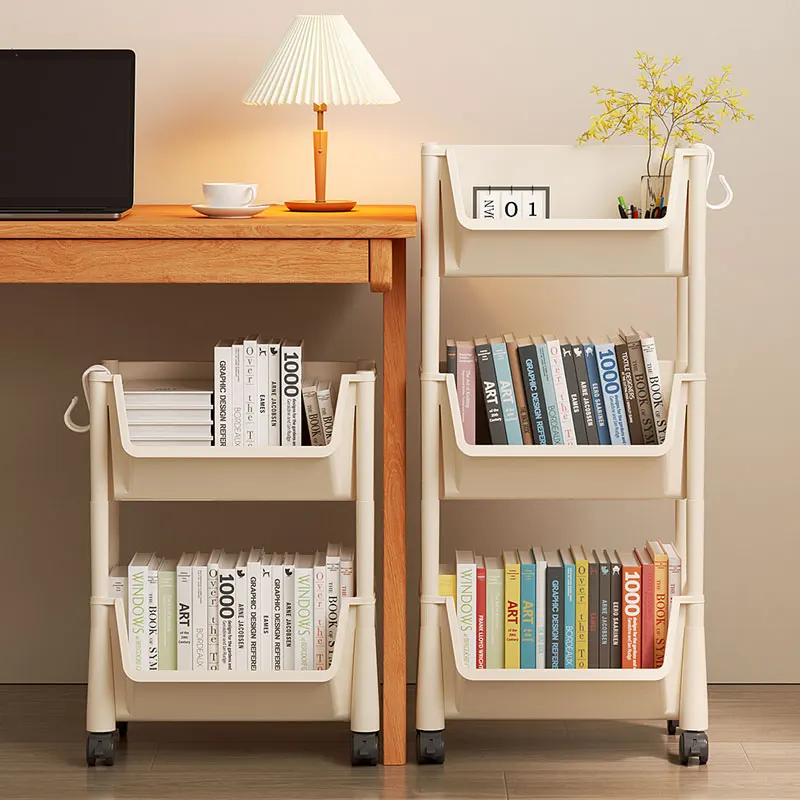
pixel 541 390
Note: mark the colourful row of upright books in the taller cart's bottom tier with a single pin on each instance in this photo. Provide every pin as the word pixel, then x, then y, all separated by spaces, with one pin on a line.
pixel 564 609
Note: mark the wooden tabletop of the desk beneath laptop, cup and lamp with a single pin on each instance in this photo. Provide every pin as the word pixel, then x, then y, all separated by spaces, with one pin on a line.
pixel 182 222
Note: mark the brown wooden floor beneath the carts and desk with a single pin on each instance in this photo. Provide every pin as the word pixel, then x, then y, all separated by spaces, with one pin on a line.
pixel 754 753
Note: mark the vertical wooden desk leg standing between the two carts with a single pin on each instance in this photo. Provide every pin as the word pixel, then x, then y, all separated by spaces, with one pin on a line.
pixel 394 511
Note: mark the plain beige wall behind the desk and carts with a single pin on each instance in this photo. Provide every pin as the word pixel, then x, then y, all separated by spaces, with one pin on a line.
pixel 471 72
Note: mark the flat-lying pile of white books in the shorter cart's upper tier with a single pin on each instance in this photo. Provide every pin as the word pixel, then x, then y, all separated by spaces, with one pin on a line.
pixel 169 412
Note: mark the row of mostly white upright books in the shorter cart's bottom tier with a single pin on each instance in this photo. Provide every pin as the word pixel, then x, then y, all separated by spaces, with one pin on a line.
pixel 246 612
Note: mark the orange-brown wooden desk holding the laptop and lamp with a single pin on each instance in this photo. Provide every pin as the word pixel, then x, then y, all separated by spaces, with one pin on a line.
pixel 174 244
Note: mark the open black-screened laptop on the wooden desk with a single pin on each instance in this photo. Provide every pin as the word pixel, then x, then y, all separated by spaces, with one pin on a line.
pixel 66 133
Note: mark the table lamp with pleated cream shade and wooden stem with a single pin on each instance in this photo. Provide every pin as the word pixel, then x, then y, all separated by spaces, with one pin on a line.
pixel 321 61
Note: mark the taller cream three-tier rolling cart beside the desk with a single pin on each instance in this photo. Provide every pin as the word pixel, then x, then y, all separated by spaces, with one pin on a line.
pixel 580 239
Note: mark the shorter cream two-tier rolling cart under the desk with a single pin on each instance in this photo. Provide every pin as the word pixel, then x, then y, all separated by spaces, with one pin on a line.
pixel 121 470
